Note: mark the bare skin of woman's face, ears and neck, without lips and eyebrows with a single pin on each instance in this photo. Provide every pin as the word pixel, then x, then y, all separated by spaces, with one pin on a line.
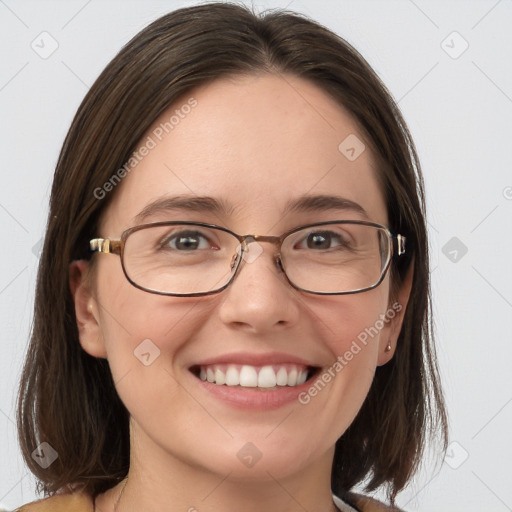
pixel 256 142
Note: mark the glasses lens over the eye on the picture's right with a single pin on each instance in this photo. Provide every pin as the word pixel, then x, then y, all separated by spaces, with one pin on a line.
pixel 336 258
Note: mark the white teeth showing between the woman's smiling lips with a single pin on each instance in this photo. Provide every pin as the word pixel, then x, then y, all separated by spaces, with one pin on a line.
pixel 267 378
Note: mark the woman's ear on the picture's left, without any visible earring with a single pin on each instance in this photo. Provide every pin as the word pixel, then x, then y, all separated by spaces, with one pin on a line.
pixel 86 310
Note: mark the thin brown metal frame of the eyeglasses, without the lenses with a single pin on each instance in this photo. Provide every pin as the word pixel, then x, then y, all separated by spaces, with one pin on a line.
pixel 109 246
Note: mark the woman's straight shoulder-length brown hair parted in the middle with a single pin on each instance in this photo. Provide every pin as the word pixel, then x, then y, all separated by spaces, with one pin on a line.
pixel 67 397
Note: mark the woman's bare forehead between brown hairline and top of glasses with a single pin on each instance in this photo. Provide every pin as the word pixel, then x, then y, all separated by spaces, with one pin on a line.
pixel 255 144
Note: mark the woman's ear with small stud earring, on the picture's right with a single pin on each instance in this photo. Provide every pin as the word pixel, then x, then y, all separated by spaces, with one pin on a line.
pixel 395 317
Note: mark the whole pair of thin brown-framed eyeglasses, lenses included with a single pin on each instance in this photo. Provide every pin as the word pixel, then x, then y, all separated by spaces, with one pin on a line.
pixel 190 259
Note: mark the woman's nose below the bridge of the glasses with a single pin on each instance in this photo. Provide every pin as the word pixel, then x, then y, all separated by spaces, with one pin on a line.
pixel 260 298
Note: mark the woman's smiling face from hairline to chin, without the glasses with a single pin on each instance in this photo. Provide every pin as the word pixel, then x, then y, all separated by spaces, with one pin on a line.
pixel 254 144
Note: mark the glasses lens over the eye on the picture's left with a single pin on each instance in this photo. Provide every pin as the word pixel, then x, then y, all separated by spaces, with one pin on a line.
pixel 180 259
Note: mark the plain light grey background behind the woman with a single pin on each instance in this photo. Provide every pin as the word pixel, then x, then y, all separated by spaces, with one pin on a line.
pixel 460 113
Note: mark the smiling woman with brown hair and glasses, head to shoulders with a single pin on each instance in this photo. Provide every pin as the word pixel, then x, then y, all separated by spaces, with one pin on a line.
pixel 232 303
